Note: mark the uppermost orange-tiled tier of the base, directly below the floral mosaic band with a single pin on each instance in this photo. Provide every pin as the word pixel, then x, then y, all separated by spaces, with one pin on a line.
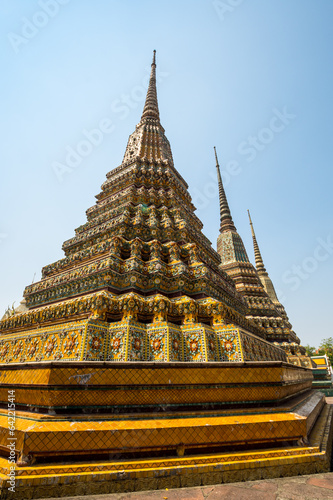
pixel 72 386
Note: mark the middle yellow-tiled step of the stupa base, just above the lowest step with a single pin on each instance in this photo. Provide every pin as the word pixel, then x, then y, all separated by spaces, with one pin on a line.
pixel 37 438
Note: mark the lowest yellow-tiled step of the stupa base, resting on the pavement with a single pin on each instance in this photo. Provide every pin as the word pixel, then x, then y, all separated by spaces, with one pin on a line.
pixel 42 481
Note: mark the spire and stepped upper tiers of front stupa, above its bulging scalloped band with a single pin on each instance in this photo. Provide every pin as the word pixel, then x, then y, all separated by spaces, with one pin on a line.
pixel 142 234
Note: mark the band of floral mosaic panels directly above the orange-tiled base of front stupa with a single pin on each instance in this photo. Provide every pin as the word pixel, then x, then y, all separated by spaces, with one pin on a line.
pixel 130 340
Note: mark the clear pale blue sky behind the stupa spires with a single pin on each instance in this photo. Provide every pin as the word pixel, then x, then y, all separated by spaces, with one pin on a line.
pixel 252 77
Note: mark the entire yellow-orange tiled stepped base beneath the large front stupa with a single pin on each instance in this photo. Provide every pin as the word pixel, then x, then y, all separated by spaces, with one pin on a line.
pixel 166 430
